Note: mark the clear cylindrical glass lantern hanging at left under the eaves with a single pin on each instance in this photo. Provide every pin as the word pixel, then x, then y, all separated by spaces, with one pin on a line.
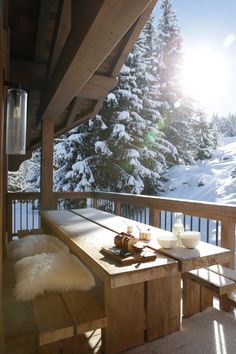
pixel 16 121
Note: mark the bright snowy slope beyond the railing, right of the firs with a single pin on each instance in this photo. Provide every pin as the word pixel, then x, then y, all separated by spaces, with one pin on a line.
pixel 212 180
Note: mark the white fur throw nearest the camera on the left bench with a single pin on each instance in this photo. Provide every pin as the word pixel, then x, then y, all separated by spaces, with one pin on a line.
pixel 50 272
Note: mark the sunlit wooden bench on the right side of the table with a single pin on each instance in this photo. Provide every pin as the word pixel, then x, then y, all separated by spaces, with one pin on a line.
pixel 199 287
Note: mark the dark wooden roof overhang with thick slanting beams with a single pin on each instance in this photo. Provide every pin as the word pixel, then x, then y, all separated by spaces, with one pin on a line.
pixel 67 55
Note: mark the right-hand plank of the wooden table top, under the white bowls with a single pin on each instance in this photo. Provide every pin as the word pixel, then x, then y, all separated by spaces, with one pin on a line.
pixel 205 254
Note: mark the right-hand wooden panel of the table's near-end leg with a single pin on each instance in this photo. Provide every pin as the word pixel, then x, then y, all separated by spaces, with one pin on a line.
pixel 163 306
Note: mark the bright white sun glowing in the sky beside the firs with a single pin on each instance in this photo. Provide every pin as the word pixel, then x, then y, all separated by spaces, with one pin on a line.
pixel 205 76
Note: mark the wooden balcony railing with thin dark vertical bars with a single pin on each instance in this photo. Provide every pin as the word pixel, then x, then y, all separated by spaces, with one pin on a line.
pixel 215 221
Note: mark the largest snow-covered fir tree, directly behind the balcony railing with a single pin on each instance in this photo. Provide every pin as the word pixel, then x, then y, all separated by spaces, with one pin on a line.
pixel 127 151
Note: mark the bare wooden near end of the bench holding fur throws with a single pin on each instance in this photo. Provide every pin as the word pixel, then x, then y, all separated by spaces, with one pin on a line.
pixel 60 320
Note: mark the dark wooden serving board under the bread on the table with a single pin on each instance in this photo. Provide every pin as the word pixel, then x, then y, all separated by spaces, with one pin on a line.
pixel 125 258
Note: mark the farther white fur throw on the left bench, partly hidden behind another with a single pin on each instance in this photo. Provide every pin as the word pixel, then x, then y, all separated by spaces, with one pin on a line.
pixel 35 244
